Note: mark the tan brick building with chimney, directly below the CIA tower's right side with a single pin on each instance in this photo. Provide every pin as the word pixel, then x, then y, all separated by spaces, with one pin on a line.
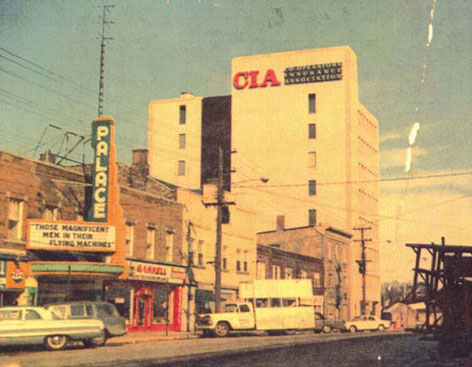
pixel 330 245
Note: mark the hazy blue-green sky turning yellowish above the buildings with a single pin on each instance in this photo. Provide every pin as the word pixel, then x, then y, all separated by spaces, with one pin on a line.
pixel 49 71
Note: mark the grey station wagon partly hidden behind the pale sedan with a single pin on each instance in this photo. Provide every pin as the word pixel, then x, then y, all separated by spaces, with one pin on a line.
pixel 83 310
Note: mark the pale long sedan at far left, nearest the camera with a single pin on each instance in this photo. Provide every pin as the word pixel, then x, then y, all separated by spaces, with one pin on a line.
pixel 36 325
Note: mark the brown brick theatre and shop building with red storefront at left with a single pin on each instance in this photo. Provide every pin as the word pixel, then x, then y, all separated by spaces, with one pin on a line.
pixel 149 296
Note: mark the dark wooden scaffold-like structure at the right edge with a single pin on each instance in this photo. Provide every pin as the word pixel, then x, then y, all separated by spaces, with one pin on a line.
pixel 445 272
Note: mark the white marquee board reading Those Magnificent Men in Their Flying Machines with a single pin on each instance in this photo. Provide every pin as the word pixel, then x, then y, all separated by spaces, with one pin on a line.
pixel 70 236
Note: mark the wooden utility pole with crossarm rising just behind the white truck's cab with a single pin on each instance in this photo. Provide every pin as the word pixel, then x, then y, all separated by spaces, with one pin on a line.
pixel 220 203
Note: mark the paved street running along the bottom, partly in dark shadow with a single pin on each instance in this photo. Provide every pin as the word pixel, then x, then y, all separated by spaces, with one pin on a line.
pixel 363 349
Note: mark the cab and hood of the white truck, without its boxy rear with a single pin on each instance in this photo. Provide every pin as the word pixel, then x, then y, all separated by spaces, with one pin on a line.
pixel 236 316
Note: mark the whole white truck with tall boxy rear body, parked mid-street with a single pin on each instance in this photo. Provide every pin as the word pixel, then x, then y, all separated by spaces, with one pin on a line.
pixel 267 305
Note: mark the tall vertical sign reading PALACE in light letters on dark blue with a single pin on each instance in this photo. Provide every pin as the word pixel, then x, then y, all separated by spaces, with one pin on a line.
pixel 101 132
